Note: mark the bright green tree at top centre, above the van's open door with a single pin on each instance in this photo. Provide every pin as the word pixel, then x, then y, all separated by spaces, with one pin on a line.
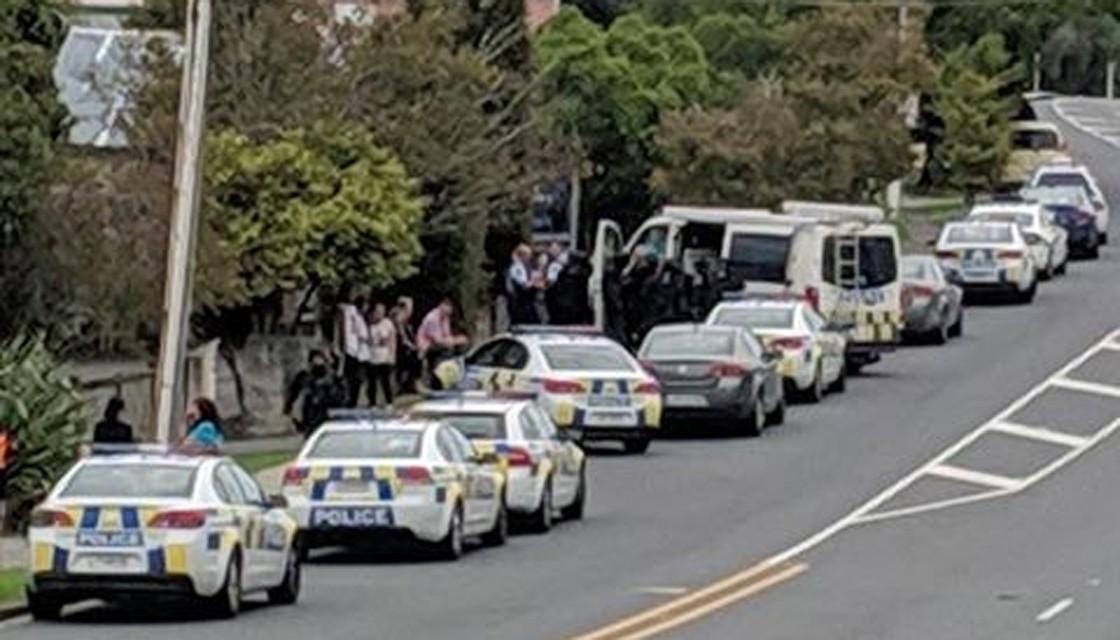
pixel 606 90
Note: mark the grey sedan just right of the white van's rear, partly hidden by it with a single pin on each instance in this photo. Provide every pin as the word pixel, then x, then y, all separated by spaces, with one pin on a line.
pixel 932 307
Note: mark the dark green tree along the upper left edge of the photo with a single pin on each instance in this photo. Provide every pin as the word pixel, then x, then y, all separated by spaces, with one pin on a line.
pixel 32 120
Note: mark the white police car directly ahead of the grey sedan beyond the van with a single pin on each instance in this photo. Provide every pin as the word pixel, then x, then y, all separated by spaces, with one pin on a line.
pixel 988 257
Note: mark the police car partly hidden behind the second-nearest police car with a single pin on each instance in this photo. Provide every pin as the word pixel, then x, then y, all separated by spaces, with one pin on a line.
pixel 546 472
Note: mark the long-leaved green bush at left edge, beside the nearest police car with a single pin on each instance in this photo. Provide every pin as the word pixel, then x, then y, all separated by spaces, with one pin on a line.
pixel 45 419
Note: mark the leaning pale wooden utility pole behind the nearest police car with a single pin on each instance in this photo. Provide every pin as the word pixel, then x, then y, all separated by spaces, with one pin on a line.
pixel 173 347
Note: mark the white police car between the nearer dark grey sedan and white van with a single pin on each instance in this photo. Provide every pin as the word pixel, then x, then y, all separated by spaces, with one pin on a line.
pixel 813 354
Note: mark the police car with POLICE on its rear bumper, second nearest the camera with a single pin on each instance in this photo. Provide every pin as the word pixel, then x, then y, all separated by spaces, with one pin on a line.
pixel 367 479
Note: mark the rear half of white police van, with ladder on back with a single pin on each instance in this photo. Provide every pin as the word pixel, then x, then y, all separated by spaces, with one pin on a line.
pixel 844 259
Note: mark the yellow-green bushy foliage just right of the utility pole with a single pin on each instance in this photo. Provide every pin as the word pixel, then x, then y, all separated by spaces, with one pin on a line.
pixel 322 206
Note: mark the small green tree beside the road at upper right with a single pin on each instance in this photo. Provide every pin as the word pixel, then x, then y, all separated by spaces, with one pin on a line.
pixel 970 100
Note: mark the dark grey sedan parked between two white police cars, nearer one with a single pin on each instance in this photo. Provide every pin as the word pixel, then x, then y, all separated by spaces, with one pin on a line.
pixel 715 373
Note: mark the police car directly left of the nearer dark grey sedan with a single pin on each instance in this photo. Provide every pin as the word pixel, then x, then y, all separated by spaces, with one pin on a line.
pixel 587 383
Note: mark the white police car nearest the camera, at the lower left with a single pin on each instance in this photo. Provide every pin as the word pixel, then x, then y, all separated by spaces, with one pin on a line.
pixel 136 525
